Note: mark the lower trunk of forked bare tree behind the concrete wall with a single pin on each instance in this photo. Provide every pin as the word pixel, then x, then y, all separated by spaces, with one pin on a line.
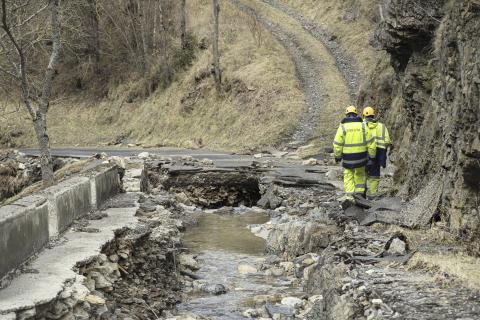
pixel 46 162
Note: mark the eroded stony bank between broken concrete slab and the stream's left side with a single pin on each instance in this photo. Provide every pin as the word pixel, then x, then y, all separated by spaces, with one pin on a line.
pixel 135 274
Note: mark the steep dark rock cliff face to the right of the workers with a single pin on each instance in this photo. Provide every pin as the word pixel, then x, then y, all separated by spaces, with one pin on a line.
pixel 431 101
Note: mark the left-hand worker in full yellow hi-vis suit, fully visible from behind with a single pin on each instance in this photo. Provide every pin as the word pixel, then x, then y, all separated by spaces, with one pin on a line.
pixel 355 146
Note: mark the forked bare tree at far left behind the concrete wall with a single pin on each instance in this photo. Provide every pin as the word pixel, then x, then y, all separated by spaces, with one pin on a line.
pixel 14 49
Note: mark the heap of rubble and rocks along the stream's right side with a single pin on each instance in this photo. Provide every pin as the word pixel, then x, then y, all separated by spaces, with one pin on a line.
pixel 352 266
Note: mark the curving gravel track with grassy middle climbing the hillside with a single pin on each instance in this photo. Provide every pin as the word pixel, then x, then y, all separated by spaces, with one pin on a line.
pixel 326 91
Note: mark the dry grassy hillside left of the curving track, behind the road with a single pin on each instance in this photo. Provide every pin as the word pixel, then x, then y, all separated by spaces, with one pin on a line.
pixel 260 102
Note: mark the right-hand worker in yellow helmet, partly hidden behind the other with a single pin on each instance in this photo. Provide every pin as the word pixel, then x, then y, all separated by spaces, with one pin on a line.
pixel 382 137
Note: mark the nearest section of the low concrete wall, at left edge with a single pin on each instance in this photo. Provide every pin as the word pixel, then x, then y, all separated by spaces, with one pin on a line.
pixel 23 231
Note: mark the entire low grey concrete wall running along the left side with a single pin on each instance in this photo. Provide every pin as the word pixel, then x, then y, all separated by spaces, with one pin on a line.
pixel 27 224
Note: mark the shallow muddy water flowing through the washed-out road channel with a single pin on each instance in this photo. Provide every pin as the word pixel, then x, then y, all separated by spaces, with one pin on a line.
pixel 222 243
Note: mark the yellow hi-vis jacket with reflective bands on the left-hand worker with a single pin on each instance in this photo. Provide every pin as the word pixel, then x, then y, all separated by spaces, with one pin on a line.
pixel 354 143
